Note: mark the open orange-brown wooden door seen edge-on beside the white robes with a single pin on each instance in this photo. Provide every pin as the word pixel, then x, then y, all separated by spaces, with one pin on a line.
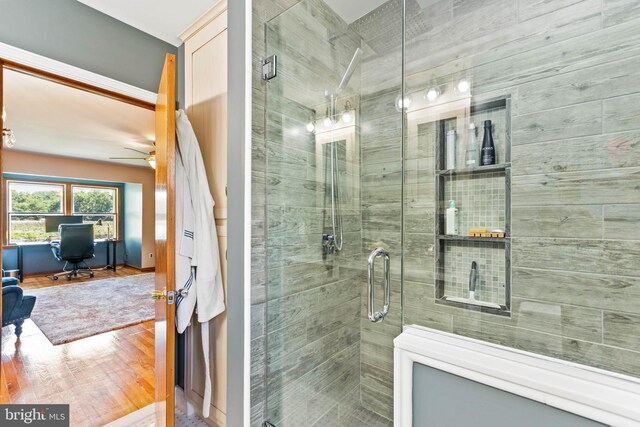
pixel 165 244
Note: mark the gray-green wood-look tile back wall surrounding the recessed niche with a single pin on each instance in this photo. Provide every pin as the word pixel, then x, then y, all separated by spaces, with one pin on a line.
pixel 571 68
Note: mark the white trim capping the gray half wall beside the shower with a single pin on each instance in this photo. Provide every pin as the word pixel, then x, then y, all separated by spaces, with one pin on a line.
pixel 599 395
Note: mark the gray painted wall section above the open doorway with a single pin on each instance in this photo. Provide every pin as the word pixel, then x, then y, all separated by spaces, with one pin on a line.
pixel 70 32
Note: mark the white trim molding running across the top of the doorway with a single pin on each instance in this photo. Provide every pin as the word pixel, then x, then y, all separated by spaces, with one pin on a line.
pixel 20 56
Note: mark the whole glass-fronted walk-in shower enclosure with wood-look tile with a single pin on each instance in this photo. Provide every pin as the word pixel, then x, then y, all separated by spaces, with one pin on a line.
pixel 374 122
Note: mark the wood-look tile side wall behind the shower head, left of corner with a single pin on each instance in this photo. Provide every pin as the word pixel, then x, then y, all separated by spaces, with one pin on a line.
pixel 305 305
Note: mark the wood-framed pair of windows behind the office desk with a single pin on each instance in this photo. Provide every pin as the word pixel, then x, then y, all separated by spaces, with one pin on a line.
pixel 30 202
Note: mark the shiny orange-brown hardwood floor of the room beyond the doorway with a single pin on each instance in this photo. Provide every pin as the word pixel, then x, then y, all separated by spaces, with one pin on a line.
pixel 102 378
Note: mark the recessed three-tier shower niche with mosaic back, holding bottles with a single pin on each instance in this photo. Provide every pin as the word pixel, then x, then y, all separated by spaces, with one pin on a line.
pixel 473 266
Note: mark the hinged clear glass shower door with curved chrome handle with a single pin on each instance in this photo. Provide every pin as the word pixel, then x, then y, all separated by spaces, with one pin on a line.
pixel 334 196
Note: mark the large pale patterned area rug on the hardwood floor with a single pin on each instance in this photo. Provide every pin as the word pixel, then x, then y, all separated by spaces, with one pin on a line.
pixel 72 311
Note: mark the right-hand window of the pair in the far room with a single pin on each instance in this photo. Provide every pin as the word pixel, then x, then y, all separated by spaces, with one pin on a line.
pixel 98 206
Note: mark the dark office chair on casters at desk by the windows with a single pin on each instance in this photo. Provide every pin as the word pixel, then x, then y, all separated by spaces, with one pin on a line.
pixel 75 246
